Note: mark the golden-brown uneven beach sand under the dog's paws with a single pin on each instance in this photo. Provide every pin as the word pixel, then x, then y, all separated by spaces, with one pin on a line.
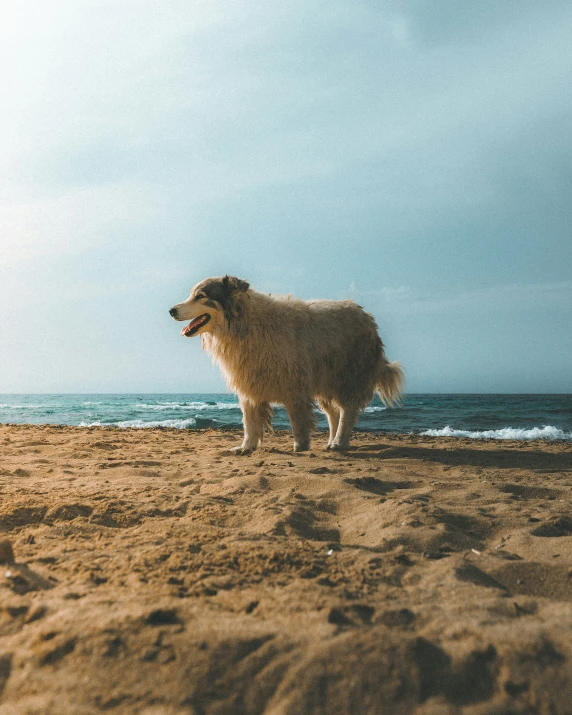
pixel 150 571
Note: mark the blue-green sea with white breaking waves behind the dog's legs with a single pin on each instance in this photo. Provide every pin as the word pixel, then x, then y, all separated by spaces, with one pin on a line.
pixel 521 417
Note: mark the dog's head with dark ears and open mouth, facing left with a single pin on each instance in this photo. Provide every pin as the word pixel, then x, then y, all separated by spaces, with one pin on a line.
pixel 213 303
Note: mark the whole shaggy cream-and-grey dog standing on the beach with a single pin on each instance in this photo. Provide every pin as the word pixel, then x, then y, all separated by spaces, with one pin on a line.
pixel 278 349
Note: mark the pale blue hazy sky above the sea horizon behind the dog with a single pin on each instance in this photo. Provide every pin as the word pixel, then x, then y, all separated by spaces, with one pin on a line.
pixel 413 156
